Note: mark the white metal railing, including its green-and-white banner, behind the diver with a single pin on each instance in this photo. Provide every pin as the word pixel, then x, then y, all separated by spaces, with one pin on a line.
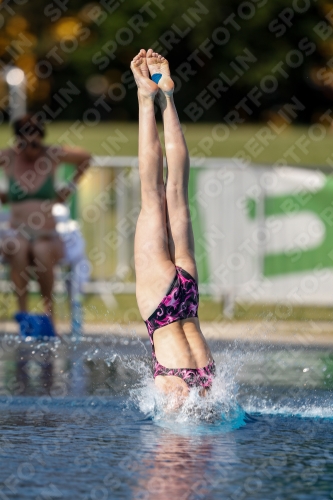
pixel 247 249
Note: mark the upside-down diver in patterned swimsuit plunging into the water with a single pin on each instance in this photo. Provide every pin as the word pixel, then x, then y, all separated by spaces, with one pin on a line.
pixel 166 274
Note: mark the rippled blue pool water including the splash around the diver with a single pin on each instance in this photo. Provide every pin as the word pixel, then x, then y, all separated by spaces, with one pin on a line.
pixel 83 420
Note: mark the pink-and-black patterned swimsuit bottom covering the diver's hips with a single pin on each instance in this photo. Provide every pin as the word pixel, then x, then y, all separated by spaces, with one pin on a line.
pixel 181 302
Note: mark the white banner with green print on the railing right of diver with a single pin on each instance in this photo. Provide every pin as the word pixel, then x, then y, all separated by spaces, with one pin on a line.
pixel 265 234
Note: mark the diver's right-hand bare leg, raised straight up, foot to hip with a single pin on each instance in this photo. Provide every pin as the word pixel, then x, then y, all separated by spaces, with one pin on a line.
pixel 181 240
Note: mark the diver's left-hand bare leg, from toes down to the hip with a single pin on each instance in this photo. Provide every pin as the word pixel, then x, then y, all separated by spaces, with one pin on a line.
pixel 153 266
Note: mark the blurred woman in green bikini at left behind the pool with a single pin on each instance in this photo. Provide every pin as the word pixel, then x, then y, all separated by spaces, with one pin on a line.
pixel 32 246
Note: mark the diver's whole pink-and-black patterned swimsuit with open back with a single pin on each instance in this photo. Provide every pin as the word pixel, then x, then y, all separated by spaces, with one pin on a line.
pixel 180 302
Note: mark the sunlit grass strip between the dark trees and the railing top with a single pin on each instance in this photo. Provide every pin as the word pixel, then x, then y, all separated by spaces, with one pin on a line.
pixel 202 139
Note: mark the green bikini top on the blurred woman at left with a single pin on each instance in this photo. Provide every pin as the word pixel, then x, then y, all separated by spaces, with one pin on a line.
pixel 16 193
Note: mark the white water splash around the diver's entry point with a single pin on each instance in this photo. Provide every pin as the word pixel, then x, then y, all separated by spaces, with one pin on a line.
pixel 217 411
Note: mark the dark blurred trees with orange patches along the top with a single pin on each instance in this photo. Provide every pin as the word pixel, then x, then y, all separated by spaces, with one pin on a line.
pixel 220 53
